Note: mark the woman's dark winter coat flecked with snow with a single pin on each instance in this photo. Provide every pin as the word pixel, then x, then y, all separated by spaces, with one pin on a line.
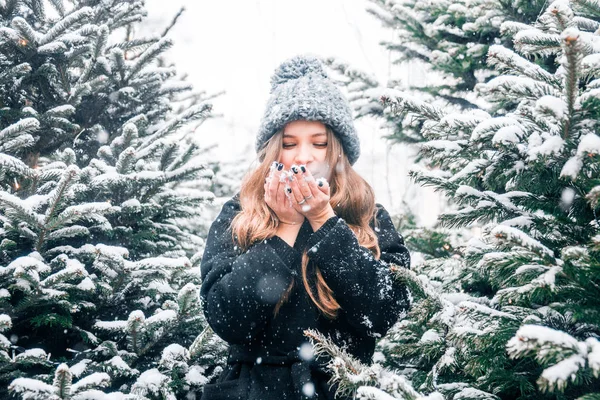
pixel 240 290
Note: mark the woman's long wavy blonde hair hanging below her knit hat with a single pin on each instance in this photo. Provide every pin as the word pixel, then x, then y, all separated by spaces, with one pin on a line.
pixel 352 199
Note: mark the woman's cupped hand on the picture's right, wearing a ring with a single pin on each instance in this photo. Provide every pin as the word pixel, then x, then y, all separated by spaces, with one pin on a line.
pixel 311 196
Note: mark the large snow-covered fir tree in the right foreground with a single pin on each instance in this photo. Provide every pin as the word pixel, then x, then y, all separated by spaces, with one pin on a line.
pixel 522 321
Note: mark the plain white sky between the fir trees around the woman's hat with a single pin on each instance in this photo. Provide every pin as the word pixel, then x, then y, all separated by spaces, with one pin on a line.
pixel 236 45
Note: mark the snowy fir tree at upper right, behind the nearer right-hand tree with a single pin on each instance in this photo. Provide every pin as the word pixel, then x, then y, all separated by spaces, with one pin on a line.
pixel 449 40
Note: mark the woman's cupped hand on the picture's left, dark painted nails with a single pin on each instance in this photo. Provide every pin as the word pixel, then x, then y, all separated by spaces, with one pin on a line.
pixel 276 196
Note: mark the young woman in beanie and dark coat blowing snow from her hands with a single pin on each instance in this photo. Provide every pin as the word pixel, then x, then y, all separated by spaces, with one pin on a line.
pixel 302 245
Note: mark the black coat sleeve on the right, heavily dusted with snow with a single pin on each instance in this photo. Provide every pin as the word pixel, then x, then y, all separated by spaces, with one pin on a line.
pixel 362 285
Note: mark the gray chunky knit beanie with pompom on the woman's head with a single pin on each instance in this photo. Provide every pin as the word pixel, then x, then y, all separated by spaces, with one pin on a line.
pixel 301 90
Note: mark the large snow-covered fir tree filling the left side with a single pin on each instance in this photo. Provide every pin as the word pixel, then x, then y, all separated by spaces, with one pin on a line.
pixel 99 180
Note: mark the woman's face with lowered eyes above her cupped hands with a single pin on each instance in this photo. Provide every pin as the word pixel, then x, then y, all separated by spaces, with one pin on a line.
pixel 305 142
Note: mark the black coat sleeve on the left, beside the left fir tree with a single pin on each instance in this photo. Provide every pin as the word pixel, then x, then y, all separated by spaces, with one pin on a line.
pixel 240 289
